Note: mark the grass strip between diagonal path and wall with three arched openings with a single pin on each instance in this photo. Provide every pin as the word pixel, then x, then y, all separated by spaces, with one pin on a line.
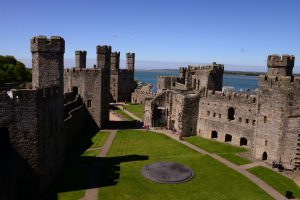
pixel 226 151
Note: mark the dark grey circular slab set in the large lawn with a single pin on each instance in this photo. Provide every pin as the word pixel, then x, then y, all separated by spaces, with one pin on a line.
pixel 167 172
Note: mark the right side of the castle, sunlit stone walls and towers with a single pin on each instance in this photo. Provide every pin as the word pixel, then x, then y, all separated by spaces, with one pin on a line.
pixel 266 121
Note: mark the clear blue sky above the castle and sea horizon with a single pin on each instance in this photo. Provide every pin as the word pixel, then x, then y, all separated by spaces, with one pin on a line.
pixel 231 32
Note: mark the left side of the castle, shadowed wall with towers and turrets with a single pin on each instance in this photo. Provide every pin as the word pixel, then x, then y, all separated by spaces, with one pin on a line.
pixel 39 125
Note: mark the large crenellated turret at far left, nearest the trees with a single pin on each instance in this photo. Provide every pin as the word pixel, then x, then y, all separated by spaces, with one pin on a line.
pixel 47 61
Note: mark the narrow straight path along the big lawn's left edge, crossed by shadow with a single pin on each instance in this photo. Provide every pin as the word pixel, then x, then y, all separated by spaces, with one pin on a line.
pixel 92 194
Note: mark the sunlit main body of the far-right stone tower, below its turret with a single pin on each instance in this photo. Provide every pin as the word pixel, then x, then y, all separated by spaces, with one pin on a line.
pixel 278 127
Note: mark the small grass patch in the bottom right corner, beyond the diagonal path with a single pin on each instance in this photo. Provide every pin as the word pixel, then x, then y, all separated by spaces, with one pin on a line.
pixel 277 181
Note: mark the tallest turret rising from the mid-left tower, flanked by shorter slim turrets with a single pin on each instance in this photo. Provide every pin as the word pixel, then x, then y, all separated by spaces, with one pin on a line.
pixel 103 56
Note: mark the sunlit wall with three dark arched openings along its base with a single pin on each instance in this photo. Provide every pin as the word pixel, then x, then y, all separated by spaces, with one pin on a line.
pixel 214 116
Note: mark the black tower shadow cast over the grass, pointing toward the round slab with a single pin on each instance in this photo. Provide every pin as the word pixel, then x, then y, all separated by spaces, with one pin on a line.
pixel 89 172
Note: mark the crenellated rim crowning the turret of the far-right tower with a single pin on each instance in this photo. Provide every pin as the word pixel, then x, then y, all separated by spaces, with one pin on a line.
pixel 276 60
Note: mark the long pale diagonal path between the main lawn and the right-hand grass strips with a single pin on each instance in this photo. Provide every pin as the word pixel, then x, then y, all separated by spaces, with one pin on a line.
pixel 241 169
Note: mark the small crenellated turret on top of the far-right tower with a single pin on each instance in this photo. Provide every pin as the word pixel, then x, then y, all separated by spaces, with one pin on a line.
pixel 280 65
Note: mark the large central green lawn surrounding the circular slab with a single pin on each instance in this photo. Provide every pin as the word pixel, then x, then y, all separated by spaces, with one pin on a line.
pixel 132 149
